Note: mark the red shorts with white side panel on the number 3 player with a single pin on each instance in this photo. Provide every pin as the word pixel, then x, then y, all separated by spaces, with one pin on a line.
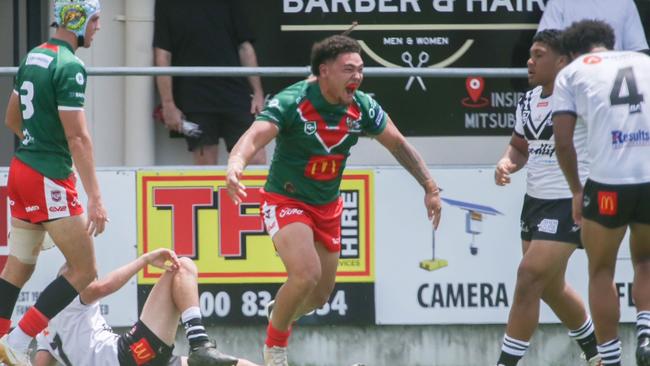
pixel 36 198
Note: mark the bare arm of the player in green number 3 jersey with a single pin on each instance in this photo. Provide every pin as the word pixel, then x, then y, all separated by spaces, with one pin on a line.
pixel 81 149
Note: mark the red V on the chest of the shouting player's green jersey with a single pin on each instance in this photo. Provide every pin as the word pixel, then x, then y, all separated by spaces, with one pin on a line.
pixel 330 136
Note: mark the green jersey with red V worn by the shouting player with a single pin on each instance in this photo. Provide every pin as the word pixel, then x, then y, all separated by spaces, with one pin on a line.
pixel 314 140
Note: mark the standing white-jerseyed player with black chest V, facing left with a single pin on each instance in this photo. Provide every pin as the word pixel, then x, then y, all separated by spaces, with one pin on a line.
pixel 548 233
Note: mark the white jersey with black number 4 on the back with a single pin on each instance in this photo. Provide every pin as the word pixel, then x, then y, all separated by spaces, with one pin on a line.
pixel 610 91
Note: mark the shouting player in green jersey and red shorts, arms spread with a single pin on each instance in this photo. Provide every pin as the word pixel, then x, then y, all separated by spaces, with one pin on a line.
pixel 315 123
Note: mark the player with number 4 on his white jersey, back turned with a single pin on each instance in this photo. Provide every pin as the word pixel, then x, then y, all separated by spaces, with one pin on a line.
pixel 609 91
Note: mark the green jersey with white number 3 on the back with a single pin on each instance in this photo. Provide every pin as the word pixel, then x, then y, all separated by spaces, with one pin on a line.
pixel 50 79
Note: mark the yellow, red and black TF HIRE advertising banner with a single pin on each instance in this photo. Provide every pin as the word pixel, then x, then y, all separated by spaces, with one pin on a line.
pixel 239 270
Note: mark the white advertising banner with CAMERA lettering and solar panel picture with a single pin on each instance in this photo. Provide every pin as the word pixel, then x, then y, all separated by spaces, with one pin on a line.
pixel 465 272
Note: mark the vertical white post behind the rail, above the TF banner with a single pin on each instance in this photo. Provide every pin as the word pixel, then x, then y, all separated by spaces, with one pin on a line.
pixel 139 90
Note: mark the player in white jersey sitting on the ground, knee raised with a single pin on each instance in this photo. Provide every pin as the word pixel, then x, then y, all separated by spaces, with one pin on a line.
pixel 79 335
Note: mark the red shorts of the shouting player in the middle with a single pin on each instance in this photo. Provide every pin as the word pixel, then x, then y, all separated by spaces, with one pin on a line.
pixel 279 211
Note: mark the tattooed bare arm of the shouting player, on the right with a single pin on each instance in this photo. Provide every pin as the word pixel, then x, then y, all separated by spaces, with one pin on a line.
pixel 411 160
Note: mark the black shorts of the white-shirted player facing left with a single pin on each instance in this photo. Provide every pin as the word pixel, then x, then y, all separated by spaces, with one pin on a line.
pixel 549 220
